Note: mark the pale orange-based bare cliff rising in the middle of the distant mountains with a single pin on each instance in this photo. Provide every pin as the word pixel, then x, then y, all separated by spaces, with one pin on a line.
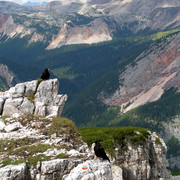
pixel 94 32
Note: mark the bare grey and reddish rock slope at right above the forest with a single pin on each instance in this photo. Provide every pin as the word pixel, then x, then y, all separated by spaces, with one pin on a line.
pixel 154 72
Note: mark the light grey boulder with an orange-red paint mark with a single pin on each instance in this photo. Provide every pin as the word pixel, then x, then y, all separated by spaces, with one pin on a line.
pixel 91 170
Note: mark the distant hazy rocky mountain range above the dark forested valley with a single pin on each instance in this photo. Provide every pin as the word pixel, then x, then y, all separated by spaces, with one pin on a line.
pixel 77 22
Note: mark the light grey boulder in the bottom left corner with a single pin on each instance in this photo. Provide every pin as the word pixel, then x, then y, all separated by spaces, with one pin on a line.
pixel 12 172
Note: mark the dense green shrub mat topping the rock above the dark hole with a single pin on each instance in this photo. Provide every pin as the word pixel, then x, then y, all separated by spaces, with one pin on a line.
pixel 115 137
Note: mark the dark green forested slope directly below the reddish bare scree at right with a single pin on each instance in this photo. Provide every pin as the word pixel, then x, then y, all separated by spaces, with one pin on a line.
pixel 152 114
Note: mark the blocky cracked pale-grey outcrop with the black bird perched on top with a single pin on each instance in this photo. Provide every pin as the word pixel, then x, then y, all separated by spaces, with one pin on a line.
pixel 33 98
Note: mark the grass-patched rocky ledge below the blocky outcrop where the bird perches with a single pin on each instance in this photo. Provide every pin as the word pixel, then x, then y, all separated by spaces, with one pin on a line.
pixel 48 150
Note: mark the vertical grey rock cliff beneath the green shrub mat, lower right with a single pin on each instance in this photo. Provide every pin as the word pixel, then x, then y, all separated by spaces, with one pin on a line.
pixel 152 165
